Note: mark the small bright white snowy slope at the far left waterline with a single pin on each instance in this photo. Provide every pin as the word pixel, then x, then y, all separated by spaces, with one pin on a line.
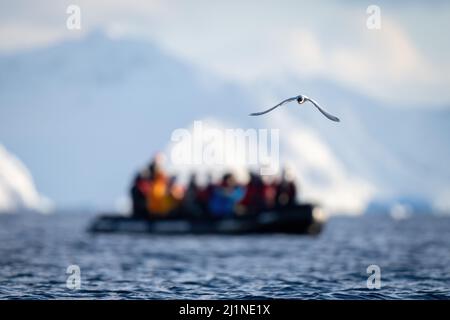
pixel 17 189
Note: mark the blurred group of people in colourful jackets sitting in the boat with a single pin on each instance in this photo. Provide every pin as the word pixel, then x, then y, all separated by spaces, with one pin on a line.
pixel 154 193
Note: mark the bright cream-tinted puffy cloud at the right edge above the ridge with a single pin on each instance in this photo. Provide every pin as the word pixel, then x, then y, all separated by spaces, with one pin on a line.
pixel 386 65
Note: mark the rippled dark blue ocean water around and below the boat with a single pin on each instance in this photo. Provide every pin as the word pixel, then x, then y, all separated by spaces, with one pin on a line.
pixel 413 255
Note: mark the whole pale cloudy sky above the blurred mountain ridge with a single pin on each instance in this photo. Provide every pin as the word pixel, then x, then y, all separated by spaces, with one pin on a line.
pixel 404 63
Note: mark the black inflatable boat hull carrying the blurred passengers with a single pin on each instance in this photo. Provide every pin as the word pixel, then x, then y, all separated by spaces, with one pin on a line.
pixel 300 219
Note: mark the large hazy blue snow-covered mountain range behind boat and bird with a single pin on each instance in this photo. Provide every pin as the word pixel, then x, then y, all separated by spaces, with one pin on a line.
pixel 85 114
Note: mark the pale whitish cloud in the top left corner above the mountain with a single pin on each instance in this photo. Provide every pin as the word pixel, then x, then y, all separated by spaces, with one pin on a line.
pixel 25 24
